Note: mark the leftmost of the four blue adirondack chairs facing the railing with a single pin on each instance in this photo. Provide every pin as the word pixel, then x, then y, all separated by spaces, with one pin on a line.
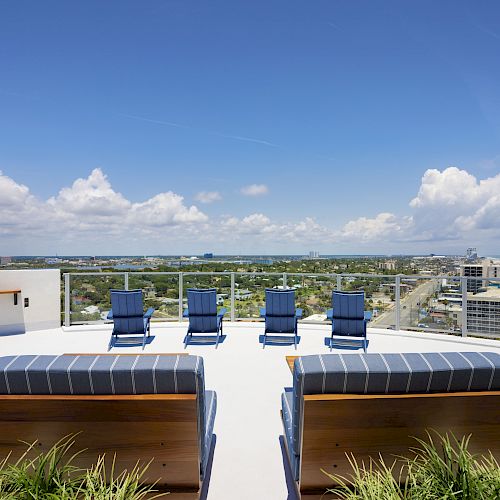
pixel 128 315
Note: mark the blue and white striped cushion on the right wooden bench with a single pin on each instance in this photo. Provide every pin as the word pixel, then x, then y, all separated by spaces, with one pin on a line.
pixel 390 374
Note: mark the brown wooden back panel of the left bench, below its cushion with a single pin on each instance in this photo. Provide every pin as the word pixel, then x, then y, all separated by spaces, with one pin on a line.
pixel 160 429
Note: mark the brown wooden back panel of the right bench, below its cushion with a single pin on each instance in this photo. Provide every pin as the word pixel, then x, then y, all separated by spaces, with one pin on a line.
pixel 369 425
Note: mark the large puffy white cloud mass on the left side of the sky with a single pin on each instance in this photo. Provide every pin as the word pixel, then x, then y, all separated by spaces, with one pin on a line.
pixel 89 208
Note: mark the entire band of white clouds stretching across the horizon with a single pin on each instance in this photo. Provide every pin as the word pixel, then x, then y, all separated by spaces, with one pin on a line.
pixel 451 209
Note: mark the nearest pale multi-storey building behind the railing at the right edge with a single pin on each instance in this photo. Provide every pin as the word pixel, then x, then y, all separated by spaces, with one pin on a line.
pixel 483 312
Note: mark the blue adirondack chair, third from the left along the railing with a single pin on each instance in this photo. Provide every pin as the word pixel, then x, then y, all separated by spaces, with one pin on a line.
pixel 280 313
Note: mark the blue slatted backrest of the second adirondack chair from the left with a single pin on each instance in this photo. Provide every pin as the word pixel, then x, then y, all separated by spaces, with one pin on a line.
pixel 202 307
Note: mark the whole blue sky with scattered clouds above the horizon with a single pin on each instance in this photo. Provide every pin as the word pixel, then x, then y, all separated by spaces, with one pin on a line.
pixel 337 107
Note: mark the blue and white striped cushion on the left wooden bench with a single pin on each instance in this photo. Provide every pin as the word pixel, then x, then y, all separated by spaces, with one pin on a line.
pixel 107 375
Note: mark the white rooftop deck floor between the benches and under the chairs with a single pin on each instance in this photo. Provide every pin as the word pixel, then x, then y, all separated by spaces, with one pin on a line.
pixel 248 380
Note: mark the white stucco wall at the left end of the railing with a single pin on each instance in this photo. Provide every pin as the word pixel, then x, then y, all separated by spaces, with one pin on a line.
pixel 42 288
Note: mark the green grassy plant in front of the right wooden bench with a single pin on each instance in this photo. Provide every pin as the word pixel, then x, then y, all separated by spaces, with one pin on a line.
pixel 440 467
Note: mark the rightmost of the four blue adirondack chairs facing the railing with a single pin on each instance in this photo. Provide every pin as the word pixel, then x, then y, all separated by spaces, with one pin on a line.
pixel 348 316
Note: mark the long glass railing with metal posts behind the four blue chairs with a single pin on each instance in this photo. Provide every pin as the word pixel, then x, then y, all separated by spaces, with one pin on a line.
pixel 439 304
